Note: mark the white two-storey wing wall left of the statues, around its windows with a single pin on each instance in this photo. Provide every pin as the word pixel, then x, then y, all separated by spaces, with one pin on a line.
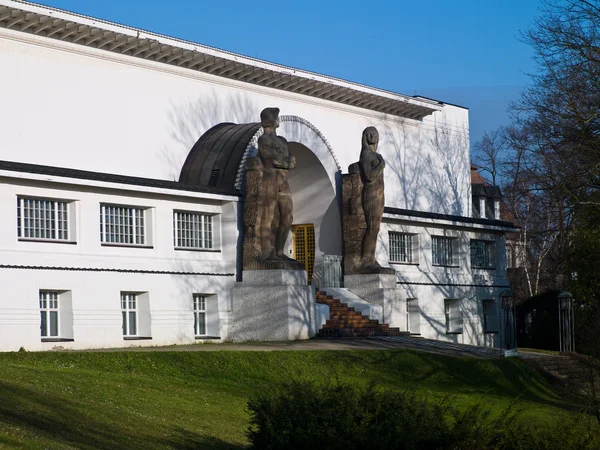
pixel 95 292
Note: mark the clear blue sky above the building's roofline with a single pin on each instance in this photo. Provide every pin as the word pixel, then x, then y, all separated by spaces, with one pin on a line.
pixel 459 51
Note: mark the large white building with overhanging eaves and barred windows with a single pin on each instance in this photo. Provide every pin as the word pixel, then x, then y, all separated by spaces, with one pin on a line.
pixel 97 121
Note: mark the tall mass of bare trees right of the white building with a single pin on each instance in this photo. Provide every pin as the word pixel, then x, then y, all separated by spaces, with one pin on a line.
pixel 549 163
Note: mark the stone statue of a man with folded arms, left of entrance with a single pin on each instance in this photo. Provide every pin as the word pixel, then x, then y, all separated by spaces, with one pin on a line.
pixel 276 203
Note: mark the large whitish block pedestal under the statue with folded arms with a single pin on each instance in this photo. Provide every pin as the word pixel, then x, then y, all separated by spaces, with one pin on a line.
pixel 273 305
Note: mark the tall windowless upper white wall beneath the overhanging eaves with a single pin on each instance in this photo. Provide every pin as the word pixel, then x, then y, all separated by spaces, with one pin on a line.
pixel 88 109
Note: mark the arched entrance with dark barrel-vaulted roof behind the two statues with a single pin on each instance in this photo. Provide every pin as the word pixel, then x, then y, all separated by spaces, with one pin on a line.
pixel 218 159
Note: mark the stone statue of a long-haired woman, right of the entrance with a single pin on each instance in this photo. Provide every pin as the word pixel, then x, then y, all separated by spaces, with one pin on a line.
pixel 371 165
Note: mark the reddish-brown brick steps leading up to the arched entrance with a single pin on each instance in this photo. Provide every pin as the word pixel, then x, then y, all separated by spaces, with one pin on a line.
pixel 345 321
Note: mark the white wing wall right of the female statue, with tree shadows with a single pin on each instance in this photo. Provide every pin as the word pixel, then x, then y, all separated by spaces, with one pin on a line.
pixel 432 284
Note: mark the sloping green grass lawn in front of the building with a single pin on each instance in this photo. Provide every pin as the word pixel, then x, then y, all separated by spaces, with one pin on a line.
pixel 135 400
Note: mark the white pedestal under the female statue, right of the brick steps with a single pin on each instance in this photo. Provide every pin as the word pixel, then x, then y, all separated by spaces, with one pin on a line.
pixel 381 289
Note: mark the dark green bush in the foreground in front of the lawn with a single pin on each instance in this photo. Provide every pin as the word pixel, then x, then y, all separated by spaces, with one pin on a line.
pixel 305 415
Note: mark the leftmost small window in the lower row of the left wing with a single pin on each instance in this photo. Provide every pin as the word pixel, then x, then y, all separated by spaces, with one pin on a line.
pixel 56 315
